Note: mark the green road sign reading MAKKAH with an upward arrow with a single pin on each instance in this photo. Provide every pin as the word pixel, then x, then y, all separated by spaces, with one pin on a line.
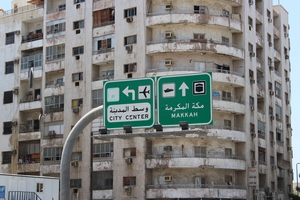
pixel 185 97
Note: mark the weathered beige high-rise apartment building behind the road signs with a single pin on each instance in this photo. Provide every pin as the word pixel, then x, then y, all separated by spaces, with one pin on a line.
pixel 56 54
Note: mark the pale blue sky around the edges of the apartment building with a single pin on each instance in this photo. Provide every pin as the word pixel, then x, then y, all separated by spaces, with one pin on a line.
pixel 292 6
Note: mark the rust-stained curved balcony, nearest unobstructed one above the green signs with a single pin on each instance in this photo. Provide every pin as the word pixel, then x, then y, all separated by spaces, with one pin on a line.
pixel 195 45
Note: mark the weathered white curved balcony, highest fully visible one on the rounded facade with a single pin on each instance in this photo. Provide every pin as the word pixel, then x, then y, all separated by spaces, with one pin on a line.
pixel 212 18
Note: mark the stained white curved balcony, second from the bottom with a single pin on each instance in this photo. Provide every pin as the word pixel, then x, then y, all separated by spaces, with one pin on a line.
pixel 195 161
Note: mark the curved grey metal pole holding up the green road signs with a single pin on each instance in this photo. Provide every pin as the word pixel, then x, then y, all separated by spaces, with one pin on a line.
pixel 68 147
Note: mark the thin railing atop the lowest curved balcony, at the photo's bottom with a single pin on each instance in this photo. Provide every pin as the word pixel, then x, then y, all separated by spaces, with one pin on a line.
pixel 168 186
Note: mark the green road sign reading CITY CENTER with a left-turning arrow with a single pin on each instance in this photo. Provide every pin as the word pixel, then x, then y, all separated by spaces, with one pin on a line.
pixel 129 102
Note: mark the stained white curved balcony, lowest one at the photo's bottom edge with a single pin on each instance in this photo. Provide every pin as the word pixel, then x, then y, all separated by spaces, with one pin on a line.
pixel 192 190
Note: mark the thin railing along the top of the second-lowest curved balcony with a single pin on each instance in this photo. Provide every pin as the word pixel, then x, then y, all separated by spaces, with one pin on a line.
pixel 157 156
